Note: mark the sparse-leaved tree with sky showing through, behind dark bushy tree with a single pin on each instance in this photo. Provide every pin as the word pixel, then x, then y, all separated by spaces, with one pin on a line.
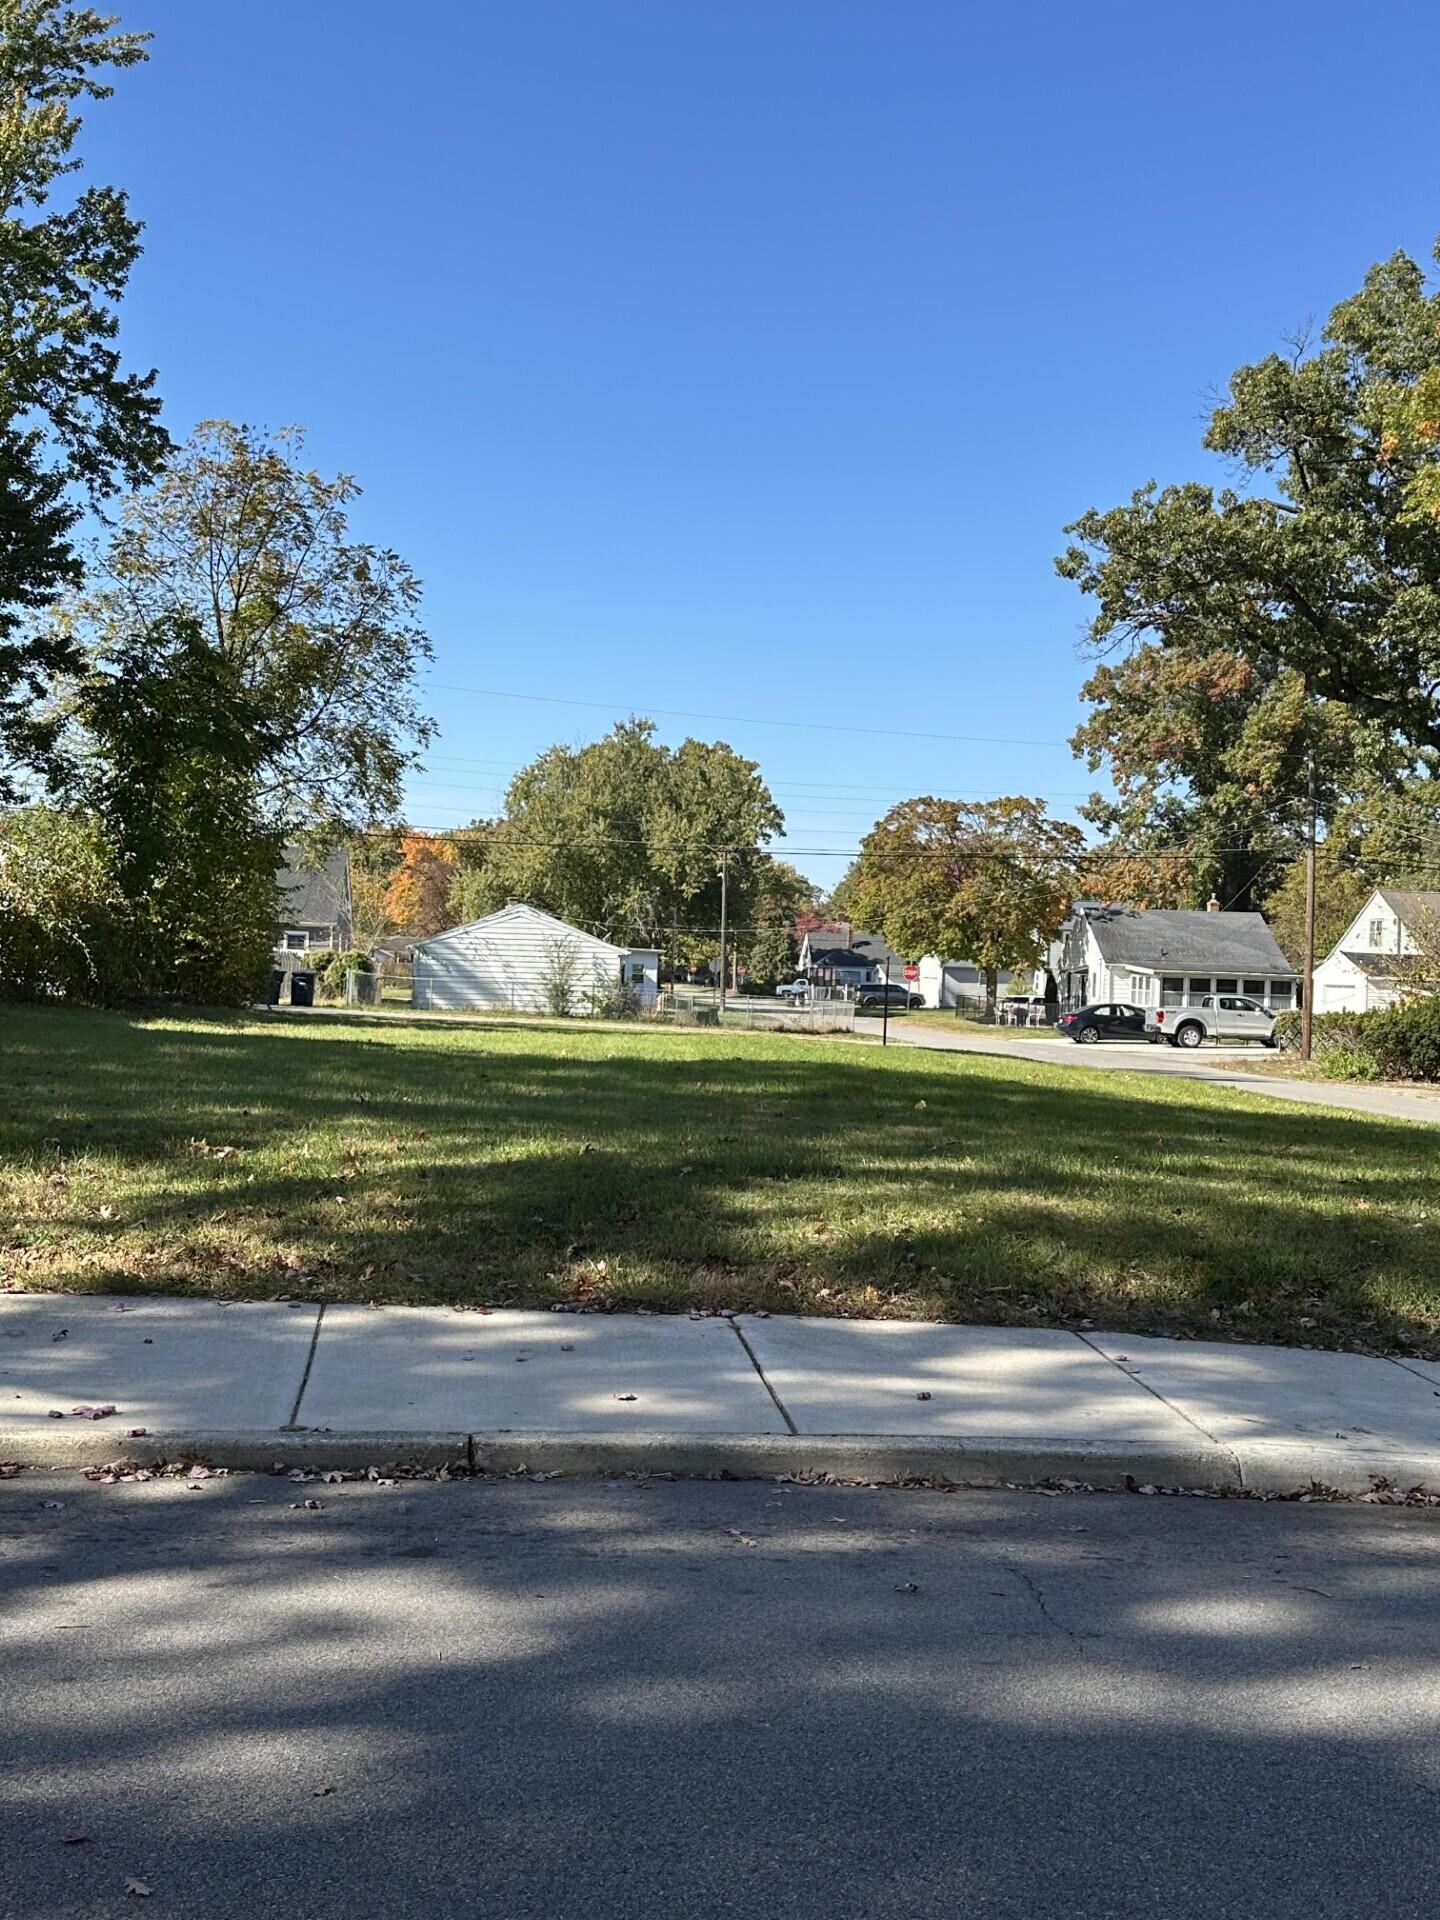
pixel 320 633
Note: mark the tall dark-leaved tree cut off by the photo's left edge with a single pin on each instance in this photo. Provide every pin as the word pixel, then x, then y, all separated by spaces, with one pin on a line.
pixel 74 425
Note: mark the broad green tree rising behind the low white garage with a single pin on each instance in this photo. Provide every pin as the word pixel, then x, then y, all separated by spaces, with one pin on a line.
pixel 625 838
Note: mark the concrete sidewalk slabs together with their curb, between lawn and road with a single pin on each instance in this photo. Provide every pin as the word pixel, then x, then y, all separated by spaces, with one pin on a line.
pixel 260 1383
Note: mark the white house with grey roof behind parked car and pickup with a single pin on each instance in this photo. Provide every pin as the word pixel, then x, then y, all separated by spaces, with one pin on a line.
pixel 1149 957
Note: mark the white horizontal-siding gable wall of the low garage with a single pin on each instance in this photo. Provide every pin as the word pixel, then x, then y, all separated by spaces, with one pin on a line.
pixel 506 959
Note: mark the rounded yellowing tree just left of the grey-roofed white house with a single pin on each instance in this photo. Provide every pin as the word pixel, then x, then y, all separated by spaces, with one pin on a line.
pixel 988 882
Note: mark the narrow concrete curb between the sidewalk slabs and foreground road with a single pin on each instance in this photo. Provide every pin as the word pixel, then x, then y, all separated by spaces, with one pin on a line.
pixel 1257 1468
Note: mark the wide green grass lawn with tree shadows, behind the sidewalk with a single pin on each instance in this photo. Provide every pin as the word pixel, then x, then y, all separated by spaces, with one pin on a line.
pixel 410 1159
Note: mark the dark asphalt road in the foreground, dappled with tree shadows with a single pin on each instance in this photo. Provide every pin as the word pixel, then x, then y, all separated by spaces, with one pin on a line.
pixel 709 1700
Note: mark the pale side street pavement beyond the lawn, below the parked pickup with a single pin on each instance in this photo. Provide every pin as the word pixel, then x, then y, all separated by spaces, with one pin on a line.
pixel 1216 1065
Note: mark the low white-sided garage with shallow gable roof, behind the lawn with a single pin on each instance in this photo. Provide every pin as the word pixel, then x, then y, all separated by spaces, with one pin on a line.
pixel 519 959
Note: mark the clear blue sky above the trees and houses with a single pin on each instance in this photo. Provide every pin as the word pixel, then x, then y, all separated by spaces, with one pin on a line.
pixel 750 358
